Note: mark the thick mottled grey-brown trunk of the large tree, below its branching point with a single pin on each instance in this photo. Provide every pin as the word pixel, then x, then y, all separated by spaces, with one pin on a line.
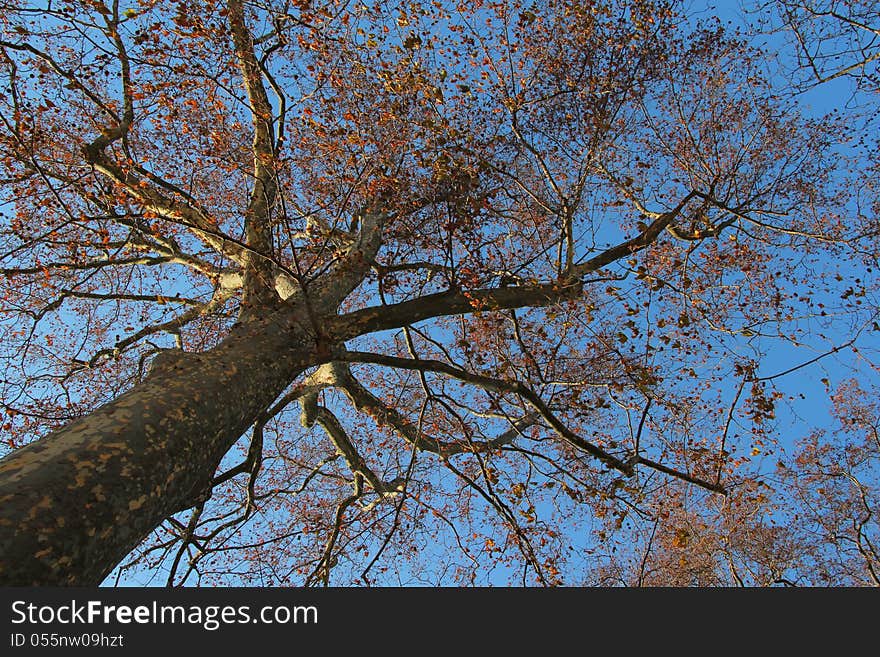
pixel 74 503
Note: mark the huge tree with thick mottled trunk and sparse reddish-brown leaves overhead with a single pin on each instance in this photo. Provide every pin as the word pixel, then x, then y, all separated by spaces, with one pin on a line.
pixel 294 291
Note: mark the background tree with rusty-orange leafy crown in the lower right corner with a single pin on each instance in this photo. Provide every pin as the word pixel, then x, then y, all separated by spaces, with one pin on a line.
pixel 812 522
